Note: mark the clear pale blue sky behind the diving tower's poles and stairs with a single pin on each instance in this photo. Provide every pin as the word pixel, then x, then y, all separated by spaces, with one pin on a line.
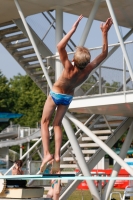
pixel 10 67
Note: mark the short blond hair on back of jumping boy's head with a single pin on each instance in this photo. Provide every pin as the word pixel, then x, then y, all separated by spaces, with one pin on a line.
pixel 81 57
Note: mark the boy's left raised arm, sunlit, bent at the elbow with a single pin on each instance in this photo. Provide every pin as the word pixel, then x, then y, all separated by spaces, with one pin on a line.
pixel 62 44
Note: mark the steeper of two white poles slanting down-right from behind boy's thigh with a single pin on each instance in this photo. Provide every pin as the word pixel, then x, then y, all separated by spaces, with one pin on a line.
pixel 80 157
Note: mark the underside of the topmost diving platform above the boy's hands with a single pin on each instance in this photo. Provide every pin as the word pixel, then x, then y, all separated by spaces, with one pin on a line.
pixel 121 9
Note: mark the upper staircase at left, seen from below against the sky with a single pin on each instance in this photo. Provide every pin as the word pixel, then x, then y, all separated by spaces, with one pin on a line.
pixel 15 40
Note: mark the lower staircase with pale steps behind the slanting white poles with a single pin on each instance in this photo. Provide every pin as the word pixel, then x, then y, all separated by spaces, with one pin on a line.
pixel 89 148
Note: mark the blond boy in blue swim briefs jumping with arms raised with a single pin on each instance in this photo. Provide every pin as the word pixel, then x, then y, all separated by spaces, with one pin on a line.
pixel 62 91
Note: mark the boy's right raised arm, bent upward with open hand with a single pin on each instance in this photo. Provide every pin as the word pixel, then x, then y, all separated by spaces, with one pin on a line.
pixel 104 28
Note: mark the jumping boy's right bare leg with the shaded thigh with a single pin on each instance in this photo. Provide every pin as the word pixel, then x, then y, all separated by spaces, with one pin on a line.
pixel 61 110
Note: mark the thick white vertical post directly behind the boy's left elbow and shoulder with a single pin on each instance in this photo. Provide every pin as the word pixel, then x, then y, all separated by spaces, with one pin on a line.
pixel 59 35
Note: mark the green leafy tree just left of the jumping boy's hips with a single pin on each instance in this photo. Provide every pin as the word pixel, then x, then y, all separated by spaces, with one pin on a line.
pixel 28 100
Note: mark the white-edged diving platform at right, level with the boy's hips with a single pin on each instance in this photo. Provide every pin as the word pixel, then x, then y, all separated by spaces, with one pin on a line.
pixel 115 104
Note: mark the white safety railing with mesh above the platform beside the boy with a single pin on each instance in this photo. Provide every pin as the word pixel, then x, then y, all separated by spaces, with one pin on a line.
pixel 106 78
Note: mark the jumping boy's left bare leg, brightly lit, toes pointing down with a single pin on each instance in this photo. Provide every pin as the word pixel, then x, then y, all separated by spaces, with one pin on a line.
pixel 48 110
